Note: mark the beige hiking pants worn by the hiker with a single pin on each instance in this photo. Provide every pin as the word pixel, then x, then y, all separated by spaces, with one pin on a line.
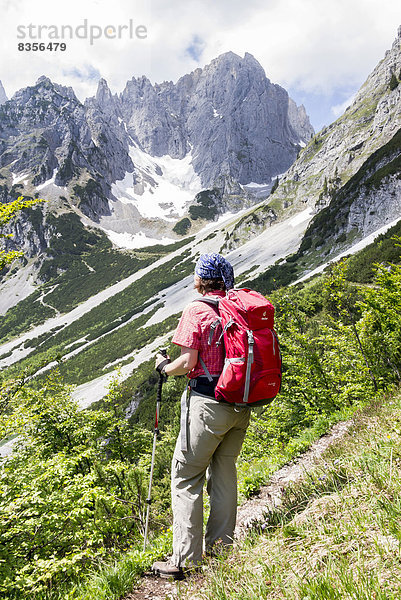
pixel 215 432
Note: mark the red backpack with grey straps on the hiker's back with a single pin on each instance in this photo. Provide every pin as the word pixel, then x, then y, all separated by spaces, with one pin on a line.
pixel 252 366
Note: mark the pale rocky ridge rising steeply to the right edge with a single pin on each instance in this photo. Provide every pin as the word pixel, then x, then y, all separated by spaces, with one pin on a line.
pixel 368 123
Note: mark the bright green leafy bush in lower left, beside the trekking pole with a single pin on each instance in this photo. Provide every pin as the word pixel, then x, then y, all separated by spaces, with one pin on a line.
pixel 73 491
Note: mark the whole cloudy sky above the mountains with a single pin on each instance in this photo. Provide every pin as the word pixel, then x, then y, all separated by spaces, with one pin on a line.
pixel 320 51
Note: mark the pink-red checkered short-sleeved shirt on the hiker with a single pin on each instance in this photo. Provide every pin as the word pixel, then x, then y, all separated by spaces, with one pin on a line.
pixel 193 332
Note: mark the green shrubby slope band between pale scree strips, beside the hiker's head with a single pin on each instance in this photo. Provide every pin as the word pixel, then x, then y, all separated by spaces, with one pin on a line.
pixel 114 322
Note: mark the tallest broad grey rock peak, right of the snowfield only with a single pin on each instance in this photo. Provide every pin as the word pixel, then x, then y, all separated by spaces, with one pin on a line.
pixel 233 93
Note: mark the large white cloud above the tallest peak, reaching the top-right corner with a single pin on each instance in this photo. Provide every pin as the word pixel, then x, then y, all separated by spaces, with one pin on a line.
pixel 315 45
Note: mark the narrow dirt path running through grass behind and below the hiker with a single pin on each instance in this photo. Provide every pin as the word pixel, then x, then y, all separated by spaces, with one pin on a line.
pixel 251 512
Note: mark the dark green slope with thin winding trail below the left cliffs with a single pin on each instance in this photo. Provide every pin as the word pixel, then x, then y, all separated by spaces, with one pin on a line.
pixel 78 264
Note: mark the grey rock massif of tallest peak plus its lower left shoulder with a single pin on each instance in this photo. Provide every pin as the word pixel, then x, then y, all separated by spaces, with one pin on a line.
pixel 229 113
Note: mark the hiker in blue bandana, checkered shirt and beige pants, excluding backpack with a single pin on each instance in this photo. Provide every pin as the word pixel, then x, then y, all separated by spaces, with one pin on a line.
pixel 212 432
